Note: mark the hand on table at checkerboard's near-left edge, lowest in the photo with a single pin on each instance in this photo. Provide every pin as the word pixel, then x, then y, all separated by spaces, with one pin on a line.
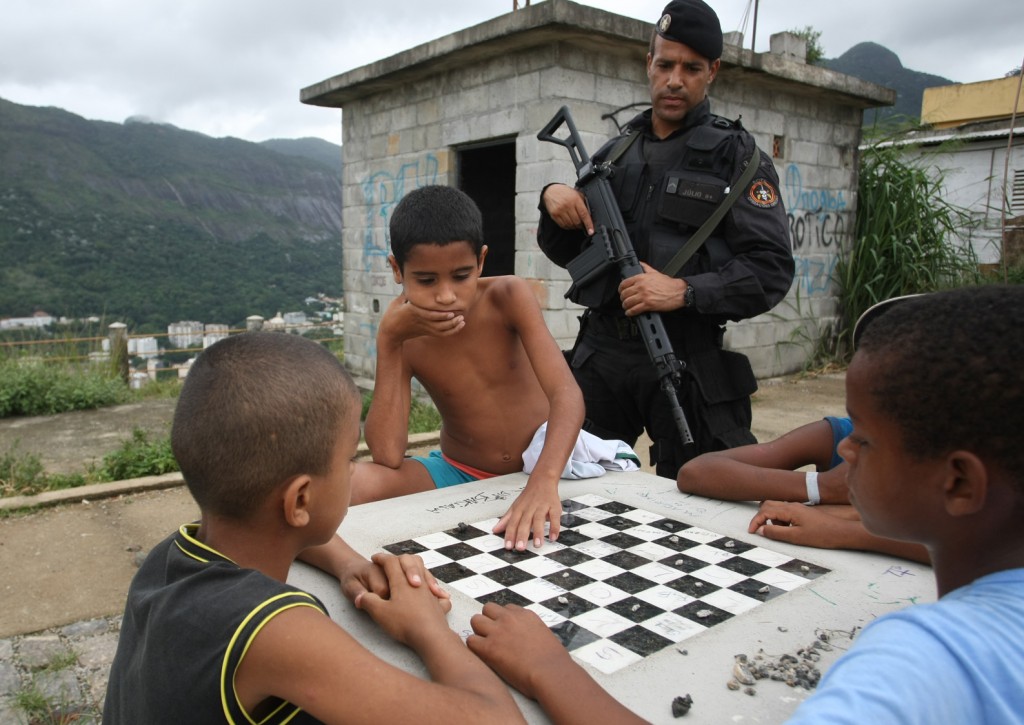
pixel 501 636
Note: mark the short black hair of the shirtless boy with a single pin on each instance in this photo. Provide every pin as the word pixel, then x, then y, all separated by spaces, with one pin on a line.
pixel 438 216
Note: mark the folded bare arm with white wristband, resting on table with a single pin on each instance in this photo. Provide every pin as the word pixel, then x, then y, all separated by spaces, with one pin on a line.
pixel 766 471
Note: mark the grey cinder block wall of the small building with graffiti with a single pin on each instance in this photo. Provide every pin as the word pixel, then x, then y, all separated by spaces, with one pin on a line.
pixel 402 140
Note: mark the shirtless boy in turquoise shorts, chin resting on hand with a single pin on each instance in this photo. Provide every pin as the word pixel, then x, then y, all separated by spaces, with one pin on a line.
pixel 483 352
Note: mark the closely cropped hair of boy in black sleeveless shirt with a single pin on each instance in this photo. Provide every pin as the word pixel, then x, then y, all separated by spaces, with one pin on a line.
pixel 258 409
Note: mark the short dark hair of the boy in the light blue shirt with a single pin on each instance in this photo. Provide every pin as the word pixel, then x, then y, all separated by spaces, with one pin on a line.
pixel 950 373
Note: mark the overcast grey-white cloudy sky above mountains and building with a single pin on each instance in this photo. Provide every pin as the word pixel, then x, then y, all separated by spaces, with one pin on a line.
pixel 234 68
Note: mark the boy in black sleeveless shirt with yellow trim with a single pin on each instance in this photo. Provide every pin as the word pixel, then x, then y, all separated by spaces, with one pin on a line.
pixel 266 431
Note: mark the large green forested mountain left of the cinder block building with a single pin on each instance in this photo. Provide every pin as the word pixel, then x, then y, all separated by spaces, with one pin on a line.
pixel 149 224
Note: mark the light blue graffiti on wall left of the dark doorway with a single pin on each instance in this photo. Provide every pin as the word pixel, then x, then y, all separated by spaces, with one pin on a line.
pixel 381 191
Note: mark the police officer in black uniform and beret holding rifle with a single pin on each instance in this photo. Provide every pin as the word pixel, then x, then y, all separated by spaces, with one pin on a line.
pixel 674 165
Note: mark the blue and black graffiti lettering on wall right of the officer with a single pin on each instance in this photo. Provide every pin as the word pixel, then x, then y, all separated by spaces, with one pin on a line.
pixel 820 224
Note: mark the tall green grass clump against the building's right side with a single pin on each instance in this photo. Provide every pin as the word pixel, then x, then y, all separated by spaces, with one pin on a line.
pixel 906 239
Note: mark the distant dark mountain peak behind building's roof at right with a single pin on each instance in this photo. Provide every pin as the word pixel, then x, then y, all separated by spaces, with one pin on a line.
pixel 875 63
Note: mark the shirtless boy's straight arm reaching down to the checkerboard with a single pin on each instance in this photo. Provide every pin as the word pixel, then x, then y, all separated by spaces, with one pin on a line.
pixel 540 501
